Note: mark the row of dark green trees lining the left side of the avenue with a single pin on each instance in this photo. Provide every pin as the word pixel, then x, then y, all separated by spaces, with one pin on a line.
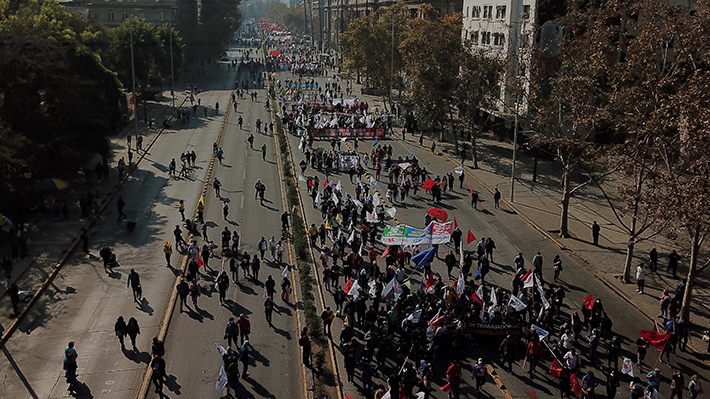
pixel 61 81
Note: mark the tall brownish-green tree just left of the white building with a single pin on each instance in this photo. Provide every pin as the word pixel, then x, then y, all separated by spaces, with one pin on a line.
pixel 433 50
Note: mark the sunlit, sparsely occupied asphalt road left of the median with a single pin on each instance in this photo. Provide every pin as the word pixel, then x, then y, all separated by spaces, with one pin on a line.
pixel 83 302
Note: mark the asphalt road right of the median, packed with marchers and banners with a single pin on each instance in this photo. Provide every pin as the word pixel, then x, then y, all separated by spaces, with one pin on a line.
pixel 512 235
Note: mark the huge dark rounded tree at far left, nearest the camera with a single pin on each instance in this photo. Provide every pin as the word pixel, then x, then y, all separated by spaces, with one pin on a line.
pixel 57 100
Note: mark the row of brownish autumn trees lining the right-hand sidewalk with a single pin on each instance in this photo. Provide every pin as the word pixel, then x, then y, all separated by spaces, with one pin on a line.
pixel 628 99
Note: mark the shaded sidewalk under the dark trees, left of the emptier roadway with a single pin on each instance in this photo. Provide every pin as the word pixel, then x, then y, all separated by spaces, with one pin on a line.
pixel 49 240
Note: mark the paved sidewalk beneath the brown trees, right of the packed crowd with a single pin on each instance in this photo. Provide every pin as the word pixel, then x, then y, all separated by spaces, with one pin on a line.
pixel 538 203
